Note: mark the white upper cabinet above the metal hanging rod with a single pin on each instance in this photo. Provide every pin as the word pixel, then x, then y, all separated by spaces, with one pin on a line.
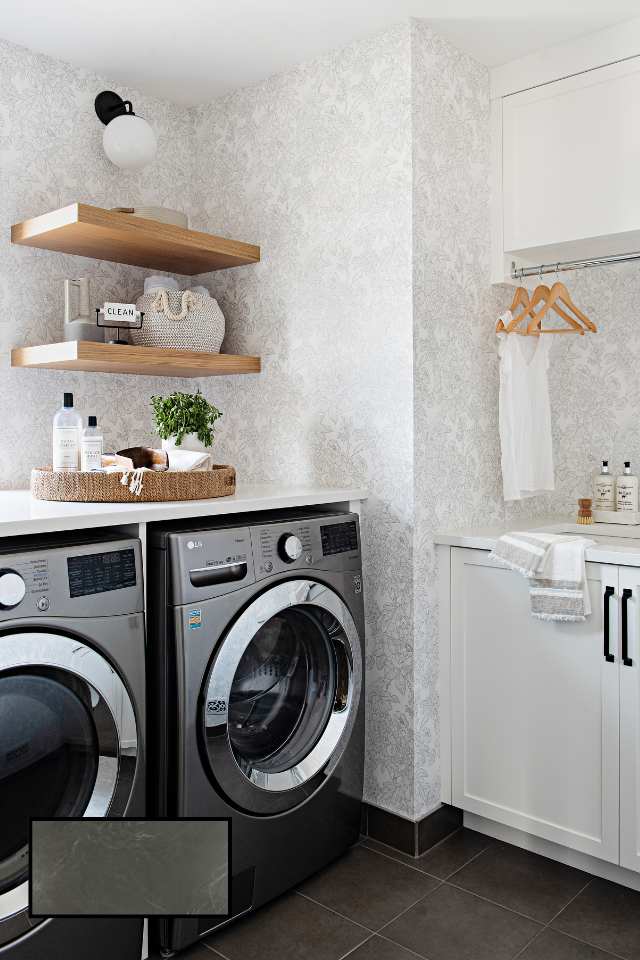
pixel 566 159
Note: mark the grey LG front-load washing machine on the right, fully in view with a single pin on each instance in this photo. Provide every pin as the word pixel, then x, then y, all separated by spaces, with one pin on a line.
pixel 257 643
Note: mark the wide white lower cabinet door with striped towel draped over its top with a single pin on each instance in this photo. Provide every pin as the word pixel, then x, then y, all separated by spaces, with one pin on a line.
pixel 535 708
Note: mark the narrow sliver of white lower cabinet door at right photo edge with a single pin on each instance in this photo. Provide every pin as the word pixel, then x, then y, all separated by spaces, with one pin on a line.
pixel 630 718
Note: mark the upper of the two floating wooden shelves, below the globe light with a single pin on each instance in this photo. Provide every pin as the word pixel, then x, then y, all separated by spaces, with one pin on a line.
pixel 88 231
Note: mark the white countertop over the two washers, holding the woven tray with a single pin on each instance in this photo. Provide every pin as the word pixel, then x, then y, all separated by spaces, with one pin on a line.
pixel 21 514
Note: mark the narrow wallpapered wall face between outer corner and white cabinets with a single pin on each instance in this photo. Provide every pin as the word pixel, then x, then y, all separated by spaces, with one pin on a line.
pixel 457 455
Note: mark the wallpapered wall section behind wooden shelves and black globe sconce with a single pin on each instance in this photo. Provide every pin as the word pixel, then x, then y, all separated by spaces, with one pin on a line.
pixel 51 155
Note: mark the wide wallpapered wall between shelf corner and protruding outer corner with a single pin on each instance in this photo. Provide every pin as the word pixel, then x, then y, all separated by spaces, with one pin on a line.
pixel 315 165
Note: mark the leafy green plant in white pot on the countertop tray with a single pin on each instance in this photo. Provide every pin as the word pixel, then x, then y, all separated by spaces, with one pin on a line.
pixel 185 420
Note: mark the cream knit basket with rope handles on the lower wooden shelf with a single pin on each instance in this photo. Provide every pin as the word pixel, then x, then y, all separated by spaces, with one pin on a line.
pixel 181 320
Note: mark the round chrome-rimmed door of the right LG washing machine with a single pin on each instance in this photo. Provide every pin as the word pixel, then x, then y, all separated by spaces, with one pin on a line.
pixel 281 696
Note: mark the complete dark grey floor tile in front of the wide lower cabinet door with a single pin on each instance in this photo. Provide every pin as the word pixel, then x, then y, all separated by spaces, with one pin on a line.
pixel 521 881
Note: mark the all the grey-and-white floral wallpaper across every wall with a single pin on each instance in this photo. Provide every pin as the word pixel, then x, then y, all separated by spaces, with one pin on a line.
pixel 364 177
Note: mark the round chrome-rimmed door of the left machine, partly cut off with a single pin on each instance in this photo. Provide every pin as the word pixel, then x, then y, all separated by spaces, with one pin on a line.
pixel 62 712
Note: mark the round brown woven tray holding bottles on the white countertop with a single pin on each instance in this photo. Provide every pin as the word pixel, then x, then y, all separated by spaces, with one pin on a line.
pixel 220 481
